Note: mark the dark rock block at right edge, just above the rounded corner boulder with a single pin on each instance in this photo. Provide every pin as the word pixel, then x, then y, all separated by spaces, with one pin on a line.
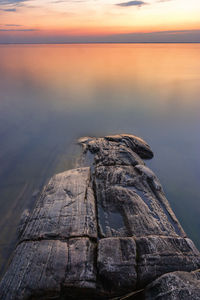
pixel 159 255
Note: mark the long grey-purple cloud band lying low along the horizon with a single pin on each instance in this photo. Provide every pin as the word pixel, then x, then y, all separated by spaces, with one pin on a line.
pixel 177 36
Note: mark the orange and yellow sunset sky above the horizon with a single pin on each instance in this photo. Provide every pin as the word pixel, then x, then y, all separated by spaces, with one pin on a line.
pixel 66 21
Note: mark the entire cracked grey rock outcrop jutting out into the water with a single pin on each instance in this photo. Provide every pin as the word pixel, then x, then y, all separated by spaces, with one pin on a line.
pixel 104 230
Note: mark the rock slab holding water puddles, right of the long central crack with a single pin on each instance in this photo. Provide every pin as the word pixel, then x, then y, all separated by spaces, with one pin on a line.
pixel 127 206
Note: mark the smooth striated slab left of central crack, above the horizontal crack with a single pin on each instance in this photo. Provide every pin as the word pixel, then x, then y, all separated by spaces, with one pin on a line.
pixel 66 209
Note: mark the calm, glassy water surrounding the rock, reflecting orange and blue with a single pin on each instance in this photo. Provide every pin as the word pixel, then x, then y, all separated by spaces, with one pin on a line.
pixel 52 94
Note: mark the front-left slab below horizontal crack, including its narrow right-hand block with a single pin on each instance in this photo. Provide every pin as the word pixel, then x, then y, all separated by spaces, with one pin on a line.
pixel 48 267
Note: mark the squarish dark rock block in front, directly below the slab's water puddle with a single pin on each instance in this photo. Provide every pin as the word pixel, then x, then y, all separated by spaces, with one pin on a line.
pixel 116 264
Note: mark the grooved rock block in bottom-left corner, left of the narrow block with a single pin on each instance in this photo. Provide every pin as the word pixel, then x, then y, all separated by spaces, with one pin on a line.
pixel 37 269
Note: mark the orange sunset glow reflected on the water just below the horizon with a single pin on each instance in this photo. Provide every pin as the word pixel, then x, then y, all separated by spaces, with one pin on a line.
pixel 120 71
